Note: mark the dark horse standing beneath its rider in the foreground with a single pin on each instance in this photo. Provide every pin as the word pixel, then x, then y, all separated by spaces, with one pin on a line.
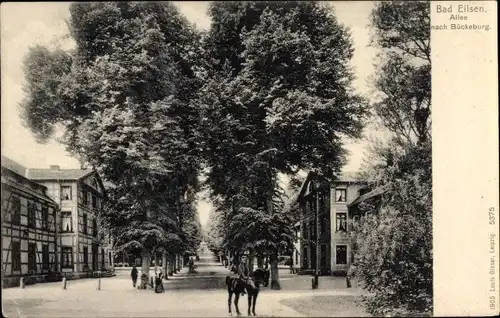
pixel 236 286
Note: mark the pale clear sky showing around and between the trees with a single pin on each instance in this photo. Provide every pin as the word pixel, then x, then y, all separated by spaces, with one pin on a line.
pixel 27 24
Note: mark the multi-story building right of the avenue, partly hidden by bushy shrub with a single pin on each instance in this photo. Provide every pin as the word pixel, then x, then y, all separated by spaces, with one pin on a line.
pixel 324 212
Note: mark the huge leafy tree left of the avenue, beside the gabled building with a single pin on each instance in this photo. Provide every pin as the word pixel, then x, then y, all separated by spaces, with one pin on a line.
pixel 123 97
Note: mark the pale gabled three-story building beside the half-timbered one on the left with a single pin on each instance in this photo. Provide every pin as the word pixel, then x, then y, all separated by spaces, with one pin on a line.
pixel 84 248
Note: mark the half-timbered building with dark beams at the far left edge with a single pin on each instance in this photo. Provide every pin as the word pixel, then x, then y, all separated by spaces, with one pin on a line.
pixel 29 228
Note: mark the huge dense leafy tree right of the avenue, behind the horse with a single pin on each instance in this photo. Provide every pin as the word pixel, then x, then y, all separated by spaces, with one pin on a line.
pixel 281 98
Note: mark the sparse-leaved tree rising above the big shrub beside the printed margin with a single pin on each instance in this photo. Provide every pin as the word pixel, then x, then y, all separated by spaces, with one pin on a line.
pixel 403 83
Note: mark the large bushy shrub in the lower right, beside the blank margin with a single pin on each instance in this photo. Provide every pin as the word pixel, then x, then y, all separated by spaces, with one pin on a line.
pixel 394 259
